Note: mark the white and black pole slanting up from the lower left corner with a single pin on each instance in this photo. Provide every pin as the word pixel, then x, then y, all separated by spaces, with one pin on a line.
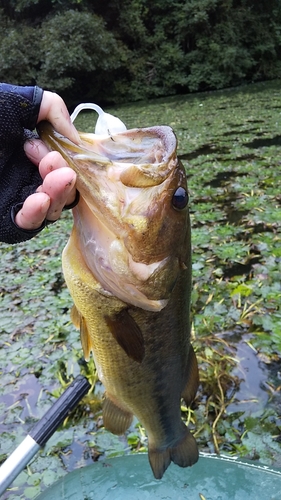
pixel 42 431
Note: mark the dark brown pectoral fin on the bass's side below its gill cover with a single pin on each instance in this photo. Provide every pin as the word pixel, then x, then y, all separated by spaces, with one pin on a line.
pixel 127 333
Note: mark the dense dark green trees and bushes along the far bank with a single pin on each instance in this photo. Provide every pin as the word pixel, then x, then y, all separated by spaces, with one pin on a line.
pixel 133 49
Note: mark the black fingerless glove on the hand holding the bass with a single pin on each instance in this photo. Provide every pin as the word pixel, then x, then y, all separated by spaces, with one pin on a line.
pixel 19 177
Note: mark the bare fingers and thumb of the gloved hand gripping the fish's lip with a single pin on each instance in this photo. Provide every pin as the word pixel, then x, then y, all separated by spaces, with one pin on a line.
pixel 58 187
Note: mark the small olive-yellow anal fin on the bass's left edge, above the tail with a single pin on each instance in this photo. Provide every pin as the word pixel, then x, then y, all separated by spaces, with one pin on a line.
pixel 115 418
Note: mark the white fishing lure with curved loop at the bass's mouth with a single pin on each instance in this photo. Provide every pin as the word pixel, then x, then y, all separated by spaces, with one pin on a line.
pixel 106 124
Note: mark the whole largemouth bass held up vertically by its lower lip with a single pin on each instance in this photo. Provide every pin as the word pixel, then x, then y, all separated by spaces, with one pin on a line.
pixel 127 265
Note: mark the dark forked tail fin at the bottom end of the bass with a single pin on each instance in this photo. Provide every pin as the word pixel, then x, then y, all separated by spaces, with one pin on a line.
pixel 184 454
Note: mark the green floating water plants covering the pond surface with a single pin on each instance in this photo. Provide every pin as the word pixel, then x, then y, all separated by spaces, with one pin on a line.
pixel 230 144
